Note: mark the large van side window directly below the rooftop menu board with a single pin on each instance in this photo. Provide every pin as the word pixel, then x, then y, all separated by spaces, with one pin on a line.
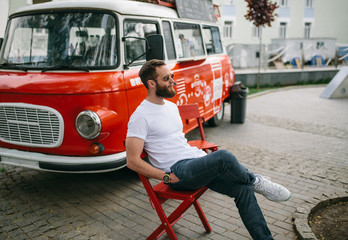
pixel 188 40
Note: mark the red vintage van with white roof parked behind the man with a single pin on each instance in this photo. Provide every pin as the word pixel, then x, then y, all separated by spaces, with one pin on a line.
pixel 69 78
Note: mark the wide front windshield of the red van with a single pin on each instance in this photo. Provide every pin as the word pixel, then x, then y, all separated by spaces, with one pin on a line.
pixel 60 41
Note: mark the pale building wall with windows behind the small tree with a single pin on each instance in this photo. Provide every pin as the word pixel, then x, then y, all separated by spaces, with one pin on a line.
pixel 296 19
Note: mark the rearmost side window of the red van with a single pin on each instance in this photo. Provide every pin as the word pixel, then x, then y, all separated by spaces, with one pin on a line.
pixel 212 40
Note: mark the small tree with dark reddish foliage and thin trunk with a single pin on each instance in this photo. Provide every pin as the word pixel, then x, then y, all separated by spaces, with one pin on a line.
pixel 261 13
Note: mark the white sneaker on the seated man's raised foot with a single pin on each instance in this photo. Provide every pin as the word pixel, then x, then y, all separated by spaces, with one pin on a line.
pixel 270 190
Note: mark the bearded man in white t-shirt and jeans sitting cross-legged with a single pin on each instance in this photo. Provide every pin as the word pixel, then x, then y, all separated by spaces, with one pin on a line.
pixel 156 126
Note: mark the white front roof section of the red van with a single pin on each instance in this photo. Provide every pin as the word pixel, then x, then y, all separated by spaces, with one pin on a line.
pixel 128 7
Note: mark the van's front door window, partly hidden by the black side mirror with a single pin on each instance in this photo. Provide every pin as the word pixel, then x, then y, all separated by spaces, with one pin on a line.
pixel 137 47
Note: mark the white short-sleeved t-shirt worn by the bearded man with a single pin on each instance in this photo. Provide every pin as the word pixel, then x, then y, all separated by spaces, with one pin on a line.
pixel 160 126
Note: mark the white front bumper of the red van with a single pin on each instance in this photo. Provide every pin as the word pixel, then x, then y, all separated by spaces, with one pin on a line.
pixel 59 163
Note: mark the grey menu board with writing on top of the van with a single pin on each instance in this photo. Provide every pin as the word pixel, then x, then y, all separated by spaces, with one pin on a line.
pixel 196 9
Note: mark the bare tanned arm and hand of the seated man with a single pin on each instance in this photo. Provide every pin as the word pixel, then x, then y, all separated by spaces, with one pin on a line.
pixel 134 149
